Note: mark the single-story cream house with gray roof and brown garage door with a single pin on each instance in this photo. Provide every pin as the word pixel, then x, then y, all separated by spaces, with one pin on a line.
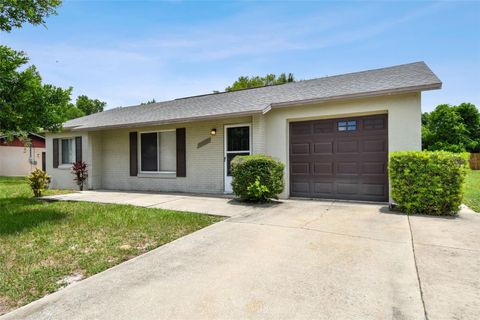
pixel 333 134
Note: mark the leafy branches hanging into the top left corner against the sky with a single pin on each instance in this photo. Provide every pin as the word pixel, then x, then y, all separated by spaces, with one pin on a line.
pixel 13 13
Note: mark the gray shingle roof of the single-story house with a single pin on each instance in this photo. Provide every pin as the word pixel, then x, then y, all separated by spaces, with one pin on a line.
pixel 411 77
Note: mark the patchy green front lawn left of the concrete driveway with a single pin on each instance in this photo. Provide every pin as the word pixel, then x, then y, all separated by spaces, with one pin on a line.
pixel 41 243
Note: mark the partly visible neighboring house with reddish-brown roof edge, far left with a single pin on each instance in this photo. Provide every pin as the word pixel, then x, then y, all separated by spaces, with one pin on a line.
pixel 16 159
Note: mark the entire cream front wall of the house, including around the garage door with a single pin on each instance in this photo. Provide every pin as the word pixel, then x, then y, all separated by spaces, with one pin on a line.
pixel 107 152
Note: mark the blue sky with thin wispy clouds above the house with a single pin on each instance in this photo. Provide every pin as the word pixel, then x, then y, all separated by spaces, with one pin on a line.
pixel 127 52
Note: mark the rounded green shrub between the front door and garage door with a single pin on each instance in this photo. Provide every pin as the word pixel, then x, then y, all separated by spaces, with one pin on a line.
pixel 257 178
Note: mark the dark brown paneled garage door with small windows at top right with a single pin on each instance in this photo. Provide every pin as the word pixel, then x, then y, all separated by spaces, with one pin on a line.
pixel 343 158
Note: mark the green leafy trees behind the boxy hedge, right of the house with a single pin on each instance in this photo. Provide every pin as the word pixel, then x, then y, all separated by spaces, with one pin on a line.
pixel 452 128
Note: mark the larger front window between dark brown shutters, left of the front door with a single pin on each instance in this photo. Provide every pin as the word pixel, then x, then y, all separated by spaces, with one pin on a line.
pixel 158 151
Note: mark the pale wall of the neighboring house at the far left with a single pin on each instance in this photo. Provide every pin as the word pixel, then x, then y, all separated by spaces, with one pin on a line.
pixel 15 160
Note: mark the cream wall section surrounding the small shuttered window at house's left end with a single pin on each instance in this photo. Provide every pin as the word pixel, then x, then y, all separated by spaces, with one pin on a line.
pixel 62 178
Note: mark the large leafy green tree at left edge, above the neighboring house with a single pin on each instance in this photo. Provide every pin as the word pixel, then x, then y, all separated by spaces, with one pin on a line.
pixel 26 104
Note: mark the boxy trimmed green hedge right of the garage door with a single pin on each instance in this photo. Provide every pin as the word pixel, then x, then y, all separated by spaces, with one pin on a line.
pixel 425 182
